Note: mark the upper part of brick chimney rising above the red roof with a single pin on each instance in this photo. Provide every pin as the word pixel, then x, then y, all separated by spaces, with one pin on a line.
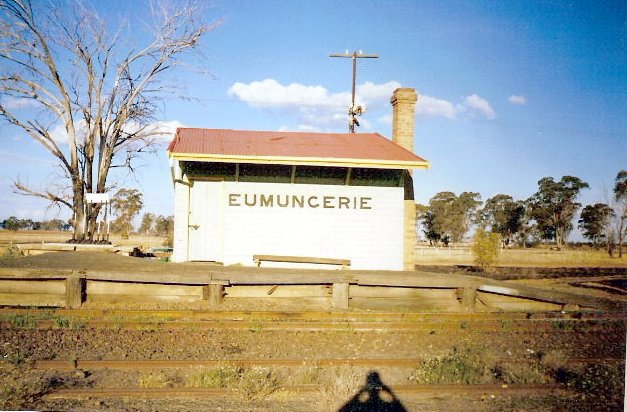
pixel 403 109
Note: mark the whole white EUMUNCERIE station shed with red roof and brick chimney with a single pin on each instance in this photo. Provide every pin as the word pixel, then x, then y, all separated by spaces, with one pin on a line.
pixel 297 199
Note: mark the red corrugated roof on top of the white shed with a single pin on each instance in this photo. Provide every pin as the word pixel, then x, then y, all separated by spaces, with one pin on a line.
pixel 301 145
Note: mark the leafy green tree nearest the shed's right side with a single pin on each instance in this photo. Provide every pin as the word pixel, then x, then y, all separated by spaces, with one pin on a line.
pixel 448 216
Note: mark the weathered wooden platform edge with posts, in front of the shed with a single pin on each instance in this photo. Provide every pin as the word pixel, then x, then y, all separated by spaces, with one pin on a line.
pixel 54 287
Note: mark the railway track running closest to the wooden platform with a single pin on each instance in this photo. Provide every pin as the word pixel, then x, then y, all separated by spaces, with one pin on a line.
pixel 309 321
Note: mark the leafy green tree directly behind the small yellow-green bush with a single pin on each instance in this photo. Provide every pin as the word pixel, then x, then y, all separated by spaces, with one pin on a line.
pixel 504 216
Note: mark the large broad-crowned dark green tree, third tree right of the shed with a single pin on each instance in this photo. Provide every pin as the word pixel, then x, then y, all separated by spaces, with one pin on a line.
pixel 554 206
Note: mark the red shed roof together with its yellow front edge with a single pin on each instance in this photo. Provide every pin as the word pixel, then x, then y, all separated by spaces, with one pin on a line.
pixel 292 148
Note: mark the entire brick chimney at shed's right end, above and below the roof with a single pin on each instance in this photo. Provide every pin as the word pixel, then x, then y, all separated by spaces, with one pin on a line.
pixel 403 109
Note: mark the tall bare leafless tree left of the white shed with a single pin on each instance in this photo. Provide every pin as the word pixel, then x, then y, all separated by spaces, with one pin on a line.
pixel 99 89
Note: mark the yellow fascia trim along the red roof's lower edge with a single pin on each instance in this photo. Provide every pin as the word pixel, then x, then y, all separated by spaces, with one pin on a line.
pixel 308 161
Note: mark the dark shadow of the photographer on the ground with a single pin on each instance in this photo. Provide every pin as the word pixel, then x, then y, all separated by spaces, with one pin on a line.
pixel 374 396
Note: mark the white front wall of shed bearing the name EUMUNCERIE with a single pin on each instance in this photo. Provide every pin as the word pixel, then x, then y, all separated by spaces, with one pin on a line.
pixel 363 224
